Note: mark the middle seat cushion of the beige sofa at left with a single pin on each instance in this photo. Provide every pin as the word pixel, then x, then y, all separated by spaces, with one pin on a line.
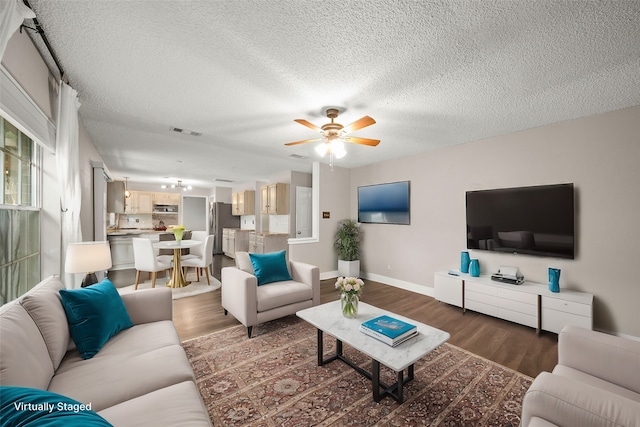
pixel 108 381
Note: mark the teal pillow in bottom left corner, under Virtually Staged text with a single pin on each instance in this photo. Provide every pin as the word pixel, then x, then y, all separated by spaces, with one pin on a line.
pixel 31 407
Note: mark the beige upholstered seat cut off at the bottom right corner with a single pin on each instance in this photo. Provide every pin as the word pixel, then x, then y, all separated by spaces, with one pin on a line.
pixel 596 383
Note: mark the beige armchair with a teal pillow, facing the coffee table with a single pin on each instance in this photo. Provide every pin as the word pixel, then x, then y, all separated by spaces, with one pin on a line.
pixel 252 304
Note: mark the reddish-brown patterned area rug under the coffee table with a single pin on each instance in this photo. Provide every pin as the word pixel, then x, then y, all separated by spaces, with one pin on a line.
pixel 273 380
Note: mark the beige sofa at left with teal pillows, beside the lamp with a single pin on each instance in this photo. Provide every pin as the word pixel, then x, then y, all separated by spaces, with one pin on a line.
pixel 140 377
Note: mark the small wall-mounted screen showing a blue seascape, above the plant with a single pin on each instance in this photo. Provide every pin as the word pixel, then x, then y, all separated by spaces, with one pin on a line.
pixel 384 203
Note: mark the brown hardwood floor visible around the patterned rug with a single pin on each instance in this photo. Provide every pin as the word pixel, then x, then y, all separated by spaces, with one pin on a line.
pixel 515 346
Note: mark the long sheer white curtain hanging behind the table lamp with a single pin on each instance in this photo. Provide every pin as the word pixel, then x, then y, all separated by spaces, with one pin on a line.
pixel 68 163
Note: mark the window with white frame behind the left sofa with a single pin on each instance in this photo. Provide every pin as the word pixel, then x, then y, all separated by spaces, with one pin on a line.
pixel 19 212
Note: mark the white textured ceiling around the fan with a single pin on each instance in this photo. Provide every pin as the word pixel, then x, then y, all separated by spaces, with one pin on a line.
pixel 431 73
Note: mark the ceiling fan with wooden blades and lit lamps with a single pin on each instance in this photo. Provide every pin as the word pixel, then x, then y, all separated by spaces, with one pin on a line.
pixel 335 131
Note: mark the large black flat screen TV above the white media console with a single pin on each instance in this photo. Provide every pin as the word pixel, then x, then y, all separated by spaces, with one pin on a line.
pixel 536 220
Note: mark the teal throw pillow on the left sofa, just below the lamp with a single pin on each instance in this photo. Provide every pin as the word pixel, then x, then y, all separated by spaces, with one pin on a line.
pixel 95 314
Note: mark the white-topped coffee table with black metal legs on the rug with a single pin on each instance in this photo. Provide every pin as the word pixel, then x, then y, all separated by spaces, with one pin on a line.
pixel 328 318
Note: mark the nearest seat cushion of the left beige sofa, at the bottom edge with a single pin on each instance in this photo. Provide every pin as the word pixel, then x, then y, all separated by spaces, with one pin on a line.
pixel 181 406
